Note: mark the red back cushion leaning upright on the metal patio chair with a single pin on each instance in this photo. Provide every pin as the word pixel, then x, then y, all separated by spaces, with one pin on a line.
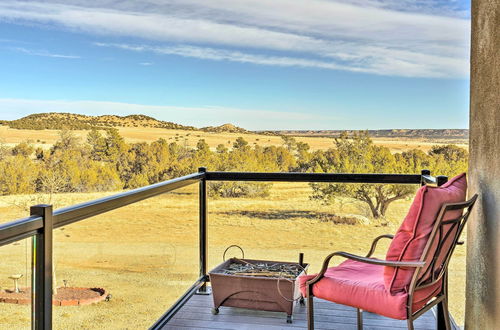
pixel 410 239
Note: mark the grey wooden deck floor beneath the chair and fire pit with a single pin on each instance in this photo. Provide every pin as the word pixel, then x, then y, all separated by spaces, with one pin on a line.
pixel 196 314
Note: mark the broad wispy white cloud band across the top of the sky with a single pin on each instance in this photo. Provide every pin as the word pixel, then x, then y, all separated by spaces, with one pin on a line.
pixel 406 38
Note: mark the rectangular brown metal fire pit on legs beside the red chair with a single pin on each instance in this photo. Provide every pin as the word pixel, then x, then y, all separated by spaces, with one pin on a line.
pixel 254 292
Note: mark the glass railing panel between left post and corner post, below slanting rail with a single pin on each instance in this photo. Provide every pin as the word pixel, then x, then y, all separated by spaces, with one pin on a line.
pixel 137 259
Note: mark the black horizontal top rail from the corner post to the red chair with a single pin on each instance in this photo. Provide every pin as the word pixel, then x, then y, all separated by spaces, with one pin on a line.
pixel 316 177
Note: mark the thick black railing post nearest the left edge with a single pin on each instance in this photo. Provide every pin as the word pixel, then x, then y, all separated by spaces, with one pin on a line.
pixel 42 270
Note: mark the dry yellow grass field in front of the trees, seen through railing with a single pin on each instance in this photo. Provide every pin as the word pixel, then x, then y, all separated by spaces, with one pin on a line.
pixel 146 254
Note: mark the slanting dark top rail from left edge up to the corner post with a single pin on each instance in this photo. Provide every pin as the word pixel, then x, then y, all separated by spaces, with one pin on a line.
pixel 26 227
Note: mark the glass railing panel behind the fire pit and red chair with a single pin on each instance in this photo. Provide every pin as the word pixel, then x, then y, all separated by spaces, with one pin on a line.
pixel 287 221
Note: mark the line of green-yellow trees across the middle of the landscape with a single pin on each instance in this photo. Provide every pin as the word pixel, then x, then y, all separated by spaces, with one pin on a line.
pixel 105 162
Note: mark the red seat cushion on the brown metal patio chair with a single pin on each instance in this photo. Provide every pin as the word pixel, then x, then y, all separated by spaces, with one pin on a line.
pixel 362 286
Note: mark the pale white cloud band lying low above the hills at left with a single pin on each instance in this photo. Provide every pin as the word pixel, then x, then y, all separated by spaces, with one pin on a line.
pixel 257 119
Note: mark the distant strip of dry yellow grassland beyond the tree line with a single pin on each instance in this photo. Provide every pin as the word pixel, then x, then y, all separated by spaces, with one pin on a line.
pixel 45 138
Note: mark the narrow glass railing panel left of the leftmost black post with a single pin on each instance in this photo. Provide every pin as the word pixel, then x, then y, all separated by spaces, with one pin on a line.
pixel 15 285
